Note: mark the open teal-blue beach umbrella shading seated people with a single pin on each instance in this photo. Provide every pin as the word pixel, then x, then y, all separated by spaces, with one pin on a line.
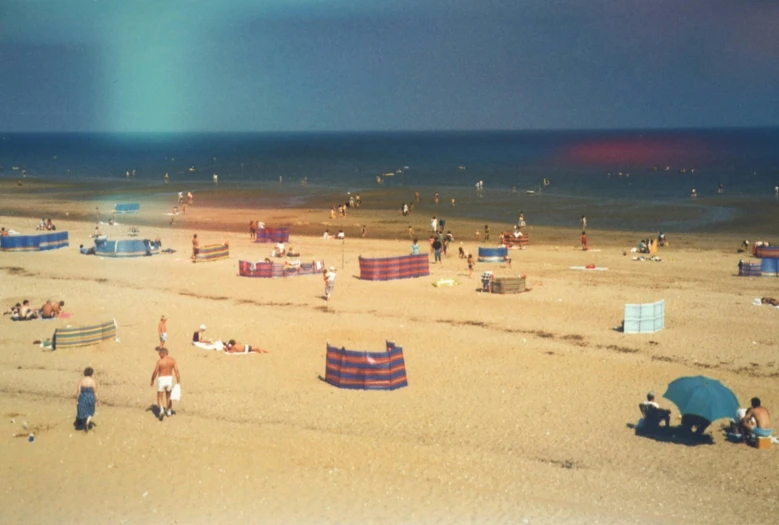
pixel 702 396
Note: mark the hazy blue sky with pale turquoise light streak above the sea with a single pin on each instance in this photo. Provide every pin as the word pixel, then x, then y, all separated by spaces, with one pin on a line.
pixel 399 65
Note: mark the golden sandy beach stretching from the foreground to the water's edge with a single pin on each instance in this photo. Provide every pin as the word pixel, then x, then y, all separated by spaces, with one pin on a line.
pixel 519 407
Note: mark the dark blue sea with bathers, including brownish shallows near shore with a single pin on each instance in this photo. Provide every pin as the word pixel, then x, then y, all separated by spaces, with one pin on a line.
pixel 621 180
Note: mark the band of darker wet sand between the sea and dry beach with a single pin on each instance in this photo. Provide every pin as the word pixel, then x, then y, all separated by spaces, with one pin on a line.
pixel 215 209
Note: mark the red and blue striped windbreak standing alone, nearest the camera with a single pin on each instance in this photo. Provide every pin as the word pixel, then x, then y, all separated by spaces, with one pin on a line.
pixel 366 370
